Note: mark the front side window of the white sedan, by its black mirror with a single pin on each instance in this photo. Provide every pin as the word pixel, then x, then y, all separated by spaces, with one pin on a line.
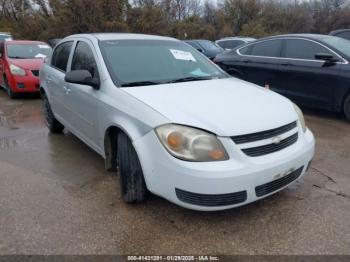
pixel 83 59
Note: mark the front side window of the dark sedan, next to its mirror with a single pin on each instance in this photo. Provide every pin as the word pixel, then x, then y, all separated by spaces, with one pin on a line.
pixel 303 49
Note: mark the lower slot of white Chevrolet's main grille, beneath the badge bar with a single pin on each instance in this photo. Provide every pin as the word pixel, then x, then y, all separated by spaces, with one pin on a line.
pixel 270 148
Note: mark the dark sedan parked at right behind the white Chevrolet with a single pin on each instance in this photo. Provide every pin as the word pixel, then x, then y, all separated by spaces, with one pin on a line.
pixel 312 70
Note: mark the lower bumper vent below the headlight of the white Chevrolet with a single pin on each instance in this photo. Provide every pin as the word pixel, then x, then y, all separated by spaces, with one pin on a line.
pixel 211 200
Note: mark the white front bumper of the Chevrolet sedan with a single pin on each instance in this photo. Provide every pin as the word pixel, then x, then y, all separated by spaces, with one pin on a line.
pixel 168 177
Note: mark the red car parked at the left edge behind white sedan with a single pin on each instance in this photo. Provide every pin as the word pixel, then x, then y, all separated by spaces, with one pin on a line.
pixel 20 62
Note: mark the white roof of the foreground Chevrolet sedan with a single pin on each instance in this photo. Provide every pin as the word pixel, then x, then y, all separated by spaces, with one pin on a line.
pixel 120 36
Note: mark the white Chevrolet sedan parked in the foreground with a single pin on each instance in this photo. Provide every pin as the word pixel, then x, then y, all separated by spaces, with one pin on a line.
pixel 172 122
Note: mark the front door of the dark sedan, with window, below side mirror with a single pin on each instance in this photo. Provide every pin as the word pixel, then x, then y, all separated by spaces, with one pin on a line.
pixel 308 81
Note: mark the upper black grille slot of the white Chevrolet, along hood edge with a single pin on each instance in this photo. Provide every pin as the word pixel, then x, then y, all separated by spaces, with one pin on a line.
pixel 264 134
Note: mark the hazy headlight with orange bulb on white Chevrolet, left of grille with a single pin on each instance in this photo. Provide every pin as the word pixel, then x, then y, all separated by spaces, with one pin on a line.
pixel 191 144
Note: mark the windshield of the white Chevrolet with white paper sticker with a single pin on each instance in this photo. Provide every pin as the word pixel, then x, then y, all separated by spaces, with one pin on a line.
pixel 155 62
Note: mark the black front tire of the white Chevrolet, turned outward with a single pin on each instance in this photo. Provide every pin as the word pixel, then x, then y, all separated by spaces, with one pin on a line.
pixel 132 183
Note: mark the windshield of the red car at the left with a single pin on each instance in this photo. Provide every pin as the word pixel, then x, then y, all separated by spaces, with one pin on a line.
pixel 28 51
